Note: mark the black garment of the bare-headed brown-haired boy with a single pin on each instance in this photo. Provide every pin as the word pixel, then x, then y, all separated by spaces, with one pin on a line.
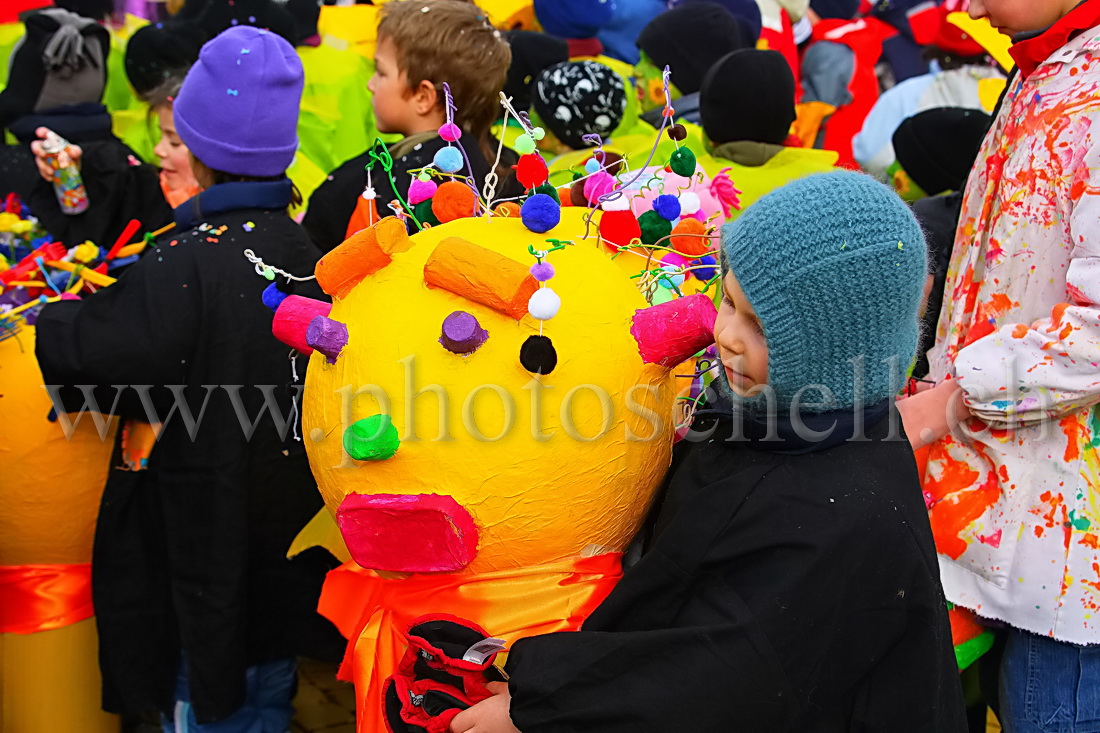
pixel 333 204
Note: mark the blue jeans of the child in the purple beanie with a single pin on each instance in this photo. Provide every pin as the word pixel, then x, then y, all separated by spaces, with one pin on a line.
pixel 267 706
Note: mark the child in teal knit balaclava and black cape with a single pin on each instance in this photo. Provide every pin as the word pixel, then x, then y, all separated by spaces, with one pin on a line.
pixel 790 582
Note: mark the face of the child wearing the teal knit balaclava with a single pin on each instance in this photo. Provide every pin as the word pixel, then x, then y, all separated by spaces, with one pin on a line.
pixel 740 337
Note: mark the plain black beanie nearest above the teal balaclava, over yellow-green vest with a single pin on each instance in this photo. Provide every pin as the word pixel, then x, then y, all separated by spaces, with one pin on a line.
pixel 749 95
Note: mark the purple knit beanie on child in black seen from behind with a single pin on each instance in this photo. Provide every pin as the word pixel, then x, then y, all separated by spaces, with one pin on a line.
pixel 238 110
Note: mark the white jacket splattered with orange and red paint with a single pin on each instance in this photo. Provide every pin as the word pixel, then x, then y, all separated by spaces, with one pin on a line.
pixel 1017 511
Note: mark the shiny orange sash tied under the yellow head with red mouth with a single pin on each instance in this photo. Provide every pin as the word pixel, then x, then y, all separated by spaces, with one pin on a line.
pixel 372 612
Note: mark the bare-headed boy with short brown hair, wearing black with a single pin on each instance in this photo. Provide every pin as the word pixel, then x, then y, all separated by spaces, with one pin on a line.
pixel 422 45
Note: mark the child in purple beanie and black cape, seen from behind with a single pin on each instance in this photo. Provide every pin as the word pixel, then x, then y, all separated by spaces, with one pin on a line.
pixel 200 612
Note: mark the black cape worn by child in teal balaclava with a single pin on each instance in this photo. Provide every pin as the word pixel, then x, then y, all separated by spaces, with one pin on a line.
pixel 778 593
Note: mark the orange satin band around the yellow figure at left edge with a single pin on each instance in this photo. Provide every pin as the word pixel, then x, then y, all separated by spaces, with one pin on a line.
pixel 37 598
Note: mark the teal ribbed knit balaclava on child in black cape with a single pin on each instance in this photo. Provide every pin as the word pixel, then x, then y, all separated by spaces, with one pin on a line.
pixel 834 267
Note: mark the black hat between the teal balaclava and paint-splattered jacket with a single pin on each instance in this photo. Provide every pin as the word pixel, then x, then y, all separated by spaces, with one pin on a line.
pixel 938 147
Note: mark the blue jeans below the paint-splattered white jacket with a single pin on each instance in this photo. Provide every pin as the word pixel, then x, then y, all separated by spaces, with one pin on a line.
pixel 1049 686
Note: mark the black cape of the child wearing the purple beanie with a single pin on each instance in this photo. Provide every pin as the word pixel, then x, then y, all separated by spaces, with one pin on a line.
pixel 191 554
